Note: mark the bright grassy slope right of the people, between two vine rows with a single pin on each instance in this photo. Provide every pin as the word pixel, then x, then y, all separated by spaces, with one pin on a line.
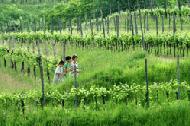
pixel 105 68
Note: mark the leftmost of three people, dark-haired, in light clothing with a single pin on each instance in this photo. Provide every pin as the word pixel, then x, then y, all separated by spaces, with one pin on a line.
pixel 58 77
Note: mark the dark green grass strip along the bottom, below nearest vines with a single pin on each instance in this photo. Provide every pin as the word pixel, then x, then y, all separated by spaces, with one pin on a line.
pixel 167 114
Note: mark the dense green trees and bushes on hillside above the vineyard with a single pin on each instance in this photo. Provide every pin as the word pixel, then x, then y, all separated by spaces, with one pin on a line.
pixel 16 17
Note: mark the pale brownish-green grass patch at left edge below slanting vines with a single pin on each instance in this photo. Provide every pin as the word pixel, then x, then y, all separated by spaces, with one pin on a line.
pixel 13 81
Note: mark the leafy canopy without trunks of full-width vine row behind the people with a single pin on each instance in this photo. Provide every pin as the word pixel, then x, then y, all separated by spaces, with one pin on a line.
pixel 180 39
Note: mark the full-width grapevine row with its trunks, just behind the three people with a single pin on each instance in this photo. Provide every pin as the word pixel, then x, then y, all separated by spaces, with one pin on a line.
pixel 166 41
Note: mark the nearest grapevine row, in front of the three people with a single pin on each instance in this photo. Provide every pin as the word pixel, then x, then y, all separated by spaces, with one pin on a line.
pixel 100 95
